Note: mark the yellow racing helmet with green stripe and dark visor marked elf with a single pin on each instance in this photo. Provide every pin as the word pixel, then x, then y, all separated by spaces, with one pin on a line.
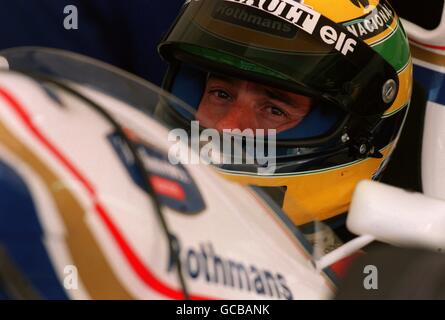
pixel 351 57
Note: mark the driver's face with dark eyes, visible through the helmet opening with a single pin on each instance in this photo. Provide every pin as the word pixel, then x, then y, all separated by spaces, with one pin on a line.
pixel 229 103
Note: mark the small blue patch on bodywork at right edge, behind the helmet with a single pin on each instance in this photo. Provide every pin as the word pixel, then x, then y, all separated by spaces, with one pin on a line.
pixel 433 81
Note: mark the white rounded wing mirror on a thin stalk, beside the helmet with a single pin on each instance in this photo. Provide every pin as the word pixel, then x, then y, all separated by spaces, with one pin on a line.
pixel 391 215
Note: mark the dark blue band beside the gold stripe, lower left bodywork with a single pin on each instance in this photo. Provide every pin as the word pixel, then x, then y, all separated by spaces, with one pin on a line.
pixel 22 236
